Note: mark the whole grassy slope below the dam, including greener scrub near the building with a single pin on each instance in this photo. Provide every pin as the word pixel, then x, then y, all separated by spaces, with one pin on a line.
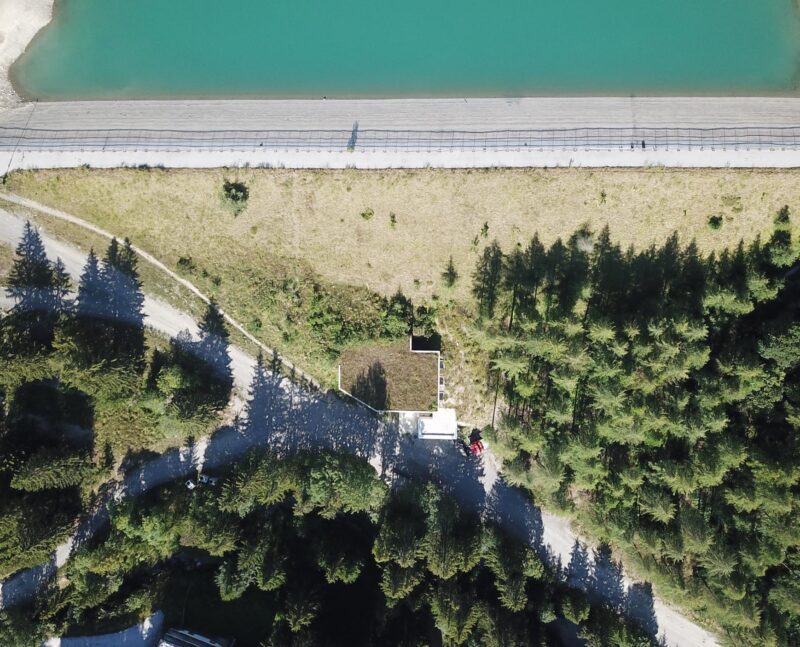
pixel 301 253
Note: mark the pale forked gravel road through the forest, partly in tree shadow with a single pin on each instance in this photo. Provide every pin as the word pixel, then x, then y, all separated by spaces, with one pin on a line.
pixel 302 419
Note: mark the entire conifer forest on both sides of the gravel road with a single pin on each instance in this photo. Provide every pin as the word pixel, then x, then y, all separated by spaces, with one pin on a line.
pixel 654 394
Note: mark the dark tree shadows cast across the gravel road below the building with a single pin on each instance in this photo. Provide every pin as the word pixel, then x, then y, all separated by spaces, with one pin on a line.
pixel 285 419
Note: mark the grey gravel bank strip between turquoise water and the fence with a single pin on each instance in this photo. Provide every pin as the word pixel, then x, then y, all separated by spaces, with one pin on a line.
pixel 413 114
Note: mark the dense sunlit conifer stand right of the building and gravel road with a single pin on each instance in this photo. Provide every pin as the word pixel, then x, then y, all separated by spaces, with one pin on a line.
pixel 656 394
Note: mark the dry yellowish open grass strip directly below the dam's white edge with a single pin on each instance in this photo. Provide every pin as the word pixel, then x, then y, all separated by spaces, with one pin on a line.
pixel 315 216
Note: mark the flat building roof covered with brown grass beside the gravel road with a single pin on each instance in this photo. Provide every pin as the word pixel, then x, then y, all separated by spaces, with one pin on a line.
pixel 391 377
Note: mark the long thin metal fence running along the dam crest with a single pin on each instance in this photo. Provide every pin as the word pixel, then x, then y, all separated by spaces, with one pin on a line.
pixel 356 139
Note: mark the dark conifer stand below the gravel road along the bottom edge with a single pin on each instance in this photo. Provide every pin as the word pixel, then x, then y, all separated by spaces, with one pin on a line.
pixel 314 549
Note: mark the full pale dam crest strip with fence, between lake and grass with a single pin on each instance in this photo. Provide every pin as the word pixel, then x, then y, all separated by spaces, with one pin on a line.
pixel 405 133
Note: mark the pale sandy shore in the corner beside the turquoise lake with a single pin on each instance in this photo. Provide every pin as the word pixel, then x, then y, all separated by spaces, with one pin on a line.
pixel 20 20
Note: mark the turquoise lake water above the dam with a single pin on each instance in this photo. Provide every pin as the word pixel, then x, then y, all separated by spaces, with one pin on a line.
pixel 298 48
